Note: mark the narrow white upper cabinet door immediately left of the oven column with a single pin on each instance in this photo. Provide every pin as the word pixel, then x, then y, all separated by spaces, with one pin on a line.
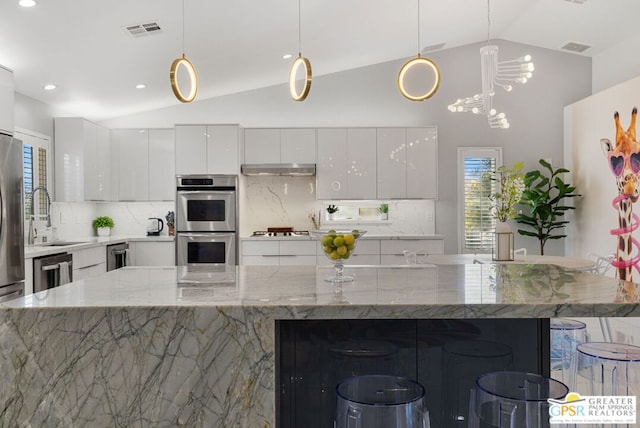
pixel 162 182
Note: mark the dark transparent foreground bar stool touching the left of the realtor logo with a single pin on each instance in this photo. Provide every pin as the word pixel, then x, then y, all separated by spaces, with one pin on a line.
pixel 513 400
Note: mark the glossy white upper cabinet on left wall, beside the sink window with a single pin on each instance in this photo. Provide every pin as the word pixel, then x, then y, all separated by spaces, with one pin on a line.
pixel 82 160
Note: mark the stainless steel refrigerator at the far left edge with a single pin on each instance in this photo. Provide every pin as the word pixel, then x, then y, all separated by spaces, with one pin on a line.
pixel 11 220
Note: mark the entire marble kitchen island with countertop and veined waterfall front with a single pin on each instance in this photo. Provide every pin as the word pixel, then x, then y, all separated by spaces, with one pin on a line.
pixel 178 347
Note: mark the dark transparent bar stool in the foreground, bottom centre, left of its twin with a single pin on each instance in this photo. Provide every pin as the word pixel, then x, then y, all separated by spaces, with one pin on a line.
pixel 380 401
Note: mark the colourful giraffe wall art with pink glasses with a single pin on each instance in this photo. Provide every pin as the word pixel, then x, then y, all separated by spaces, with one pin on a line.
pixel 624 161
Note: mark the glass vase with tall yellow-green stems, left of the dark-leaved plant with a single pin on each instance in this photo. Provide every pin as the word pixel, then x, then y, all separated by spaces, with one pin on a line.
pixel 509 191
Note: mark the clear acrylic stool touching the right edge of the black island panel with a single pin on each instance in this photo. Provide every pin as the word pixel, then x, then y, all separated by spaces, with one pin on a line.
pixel 565 336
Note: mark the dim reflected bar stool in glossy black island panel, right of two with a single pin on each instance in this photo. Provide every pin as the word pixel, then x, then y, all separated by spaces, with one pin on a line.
pixel 462 363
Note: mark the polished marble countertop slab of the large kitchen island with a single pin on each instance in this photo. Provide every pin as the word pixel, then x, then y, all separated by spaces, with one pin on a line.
pixel 459 291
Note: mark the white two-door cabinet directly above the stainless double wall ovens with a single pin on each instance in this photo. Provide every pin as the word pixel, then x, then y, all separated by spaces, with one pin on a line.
pixel 207 149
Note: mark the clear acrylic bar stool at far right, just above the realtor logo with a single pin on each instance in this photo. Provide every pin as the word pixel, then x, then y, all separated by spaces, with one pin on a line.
pixel 609 368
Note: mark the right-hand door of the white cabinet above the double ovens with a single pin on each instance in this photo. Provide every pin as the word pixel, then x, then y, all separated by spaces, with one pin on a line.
pixel 222 149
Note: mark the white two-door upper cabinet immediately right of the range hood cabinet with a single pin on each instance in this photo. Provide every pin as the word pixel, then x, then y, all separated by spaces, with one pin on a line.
pixel 346 163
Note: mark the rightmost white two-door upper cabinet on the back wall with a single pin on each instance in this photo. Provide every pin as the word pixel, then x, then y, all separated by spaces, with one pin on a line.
pixel 407 163
